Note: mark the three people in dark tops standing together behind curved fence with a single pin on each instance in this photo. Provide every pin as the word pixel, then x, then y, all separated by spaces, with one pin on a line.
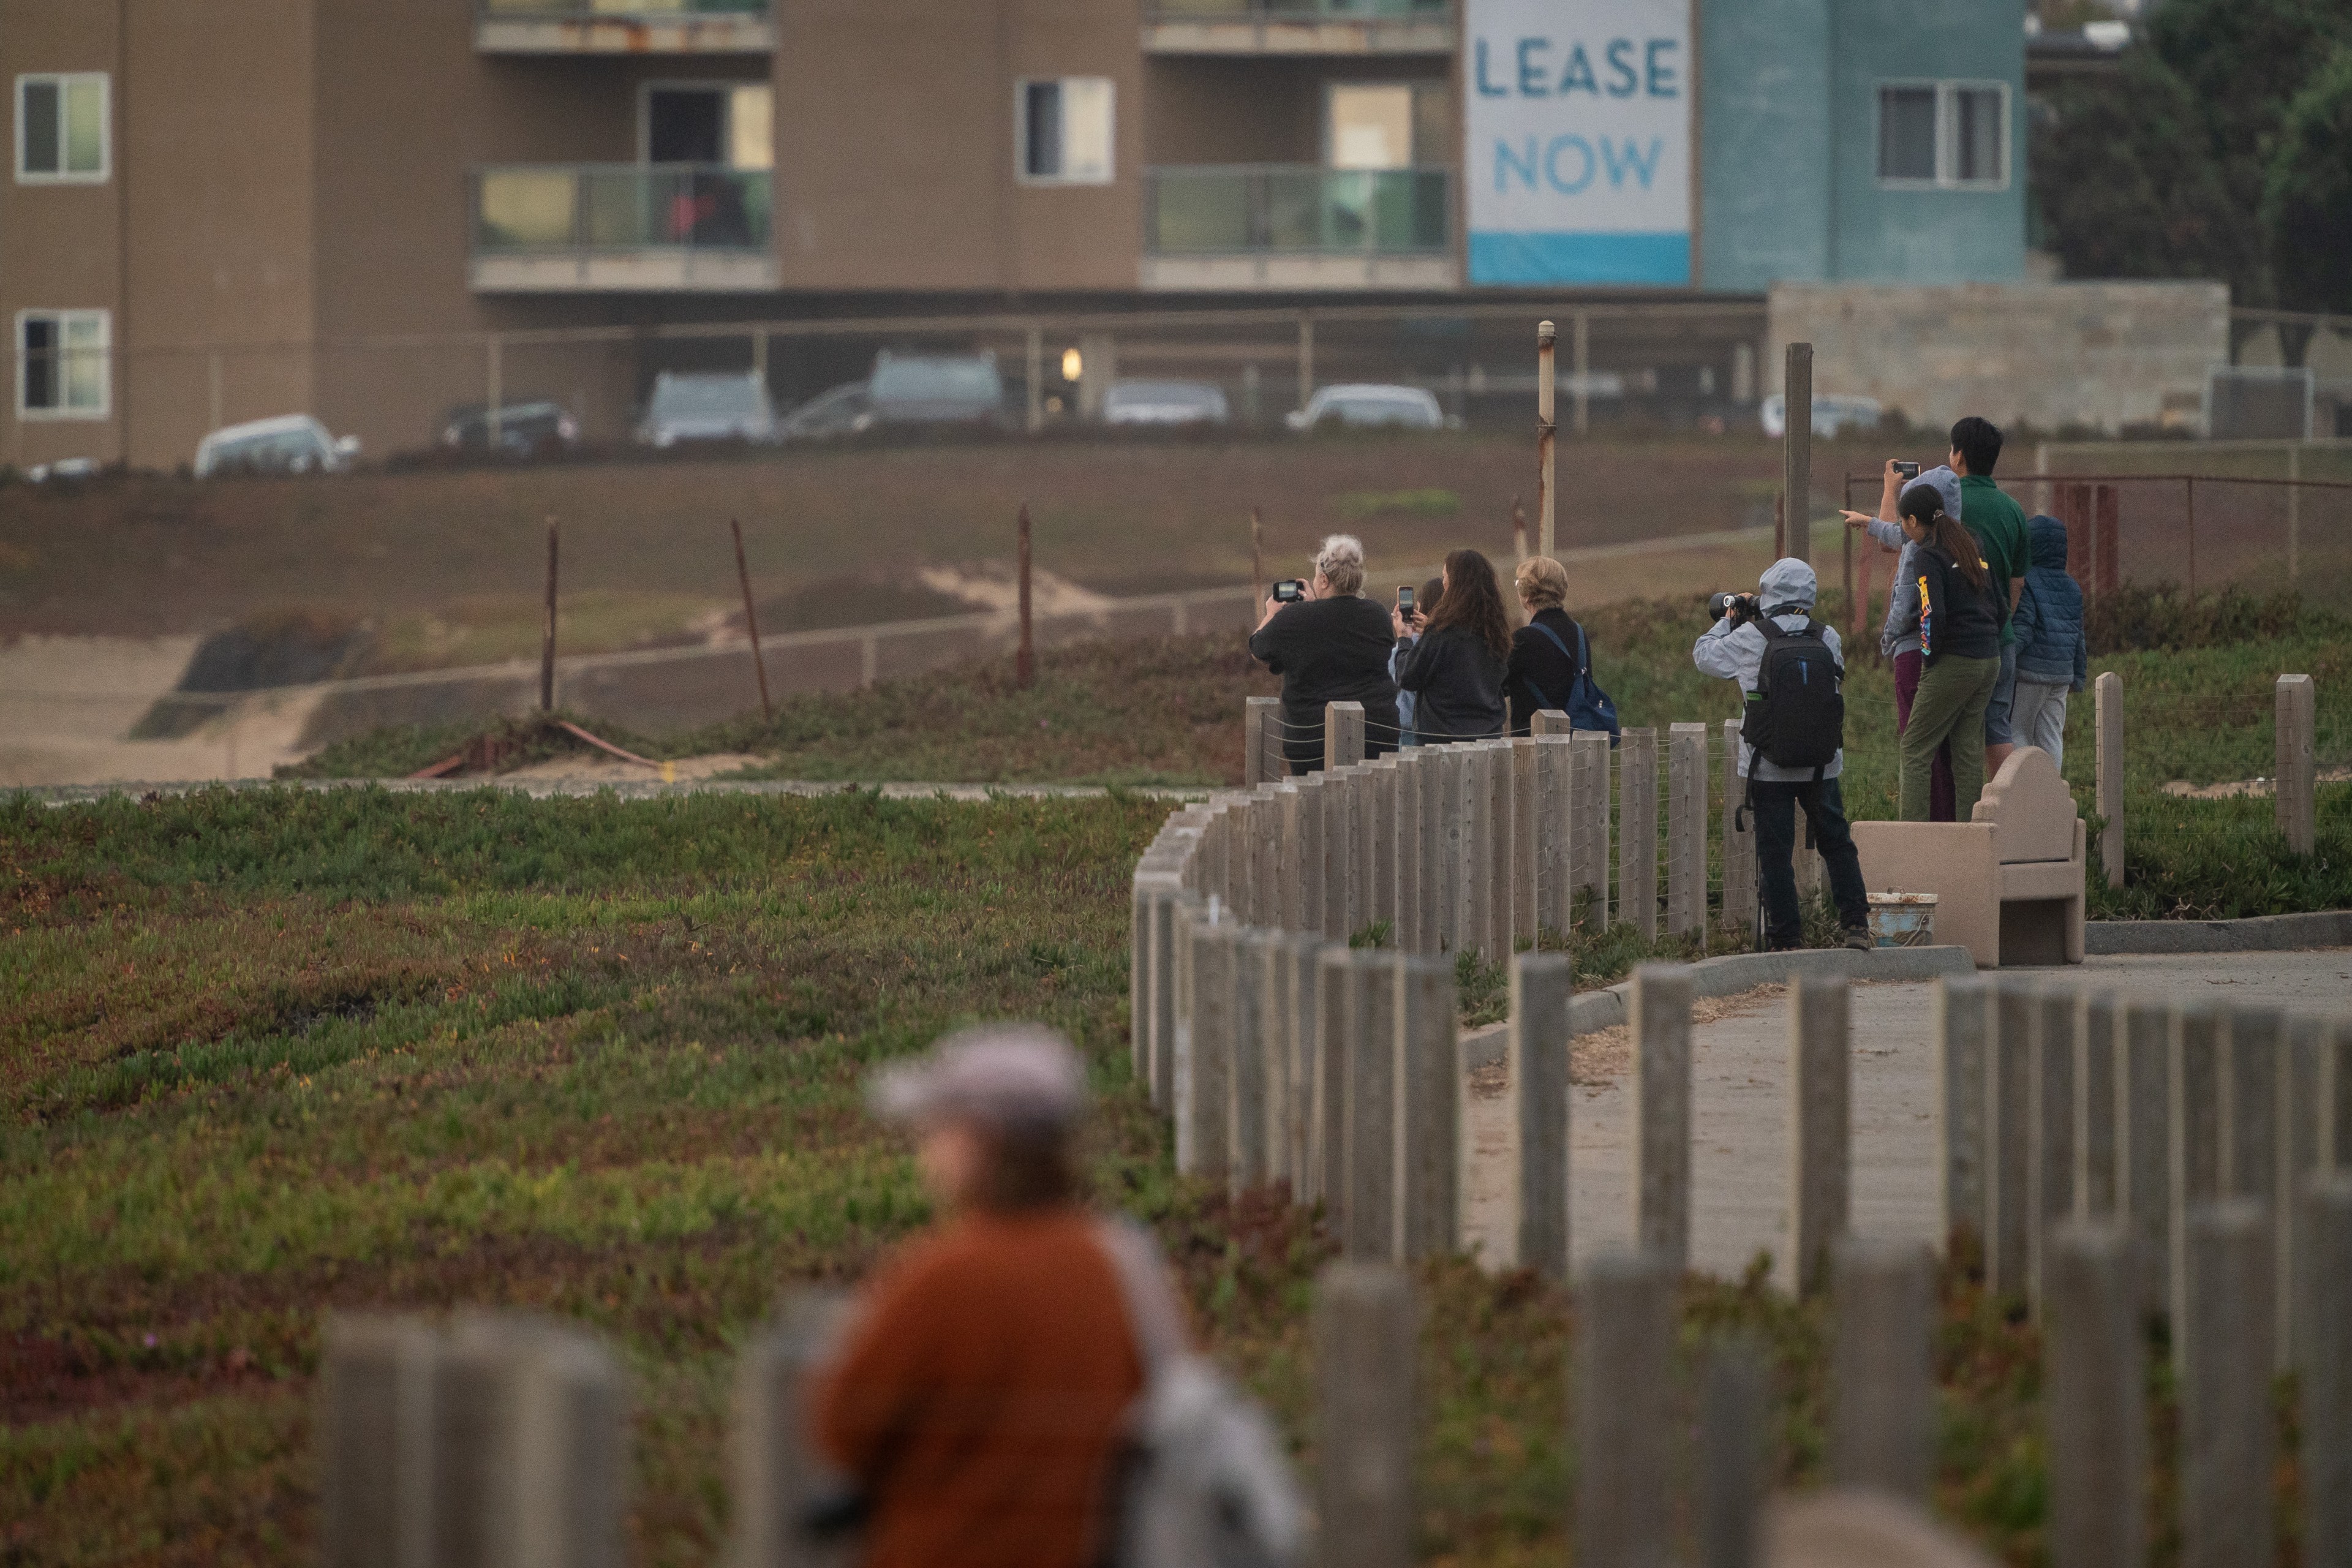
pixel 1448 666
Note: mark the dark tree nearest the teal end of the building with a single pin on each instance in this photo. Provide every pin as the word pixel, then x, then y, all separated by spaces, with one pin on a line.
pixel 2130 185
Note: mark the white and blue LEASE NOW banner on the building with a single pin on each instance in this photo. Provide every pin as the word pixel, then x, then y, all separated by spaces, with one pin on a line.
pixel 1577 142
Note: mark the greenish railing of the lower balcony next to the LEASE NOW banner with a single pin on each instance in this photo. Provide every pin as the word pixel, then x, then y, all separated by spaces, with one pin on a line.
pixel 1222 210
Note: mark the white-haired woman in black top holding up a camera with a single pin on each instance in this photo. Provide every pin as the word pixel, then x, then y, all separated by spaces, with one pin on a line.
pixel 1330 648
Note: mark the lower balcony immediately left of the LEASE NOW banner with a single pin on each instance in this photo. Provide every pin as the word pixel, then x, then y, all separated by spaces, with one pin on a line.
pixel 1299 227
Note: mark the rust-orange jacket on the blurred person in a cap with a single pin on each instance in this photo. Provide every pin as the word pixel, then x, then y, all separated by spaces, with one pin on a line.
pixel 980 1395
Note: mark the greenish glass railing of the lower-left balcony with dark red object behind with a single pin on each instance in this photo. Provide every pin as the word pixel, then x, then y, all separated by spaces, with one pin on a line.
pixel 554 210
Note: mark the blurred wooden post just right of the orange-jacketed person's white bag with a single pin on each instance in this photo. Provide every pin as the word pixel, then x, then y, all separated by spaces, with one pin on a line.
pixel 1365 1353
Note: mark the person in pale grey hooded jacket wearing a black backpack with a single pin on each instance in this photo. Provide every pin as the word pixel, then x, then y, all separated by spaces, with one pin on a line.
pixel 1735 650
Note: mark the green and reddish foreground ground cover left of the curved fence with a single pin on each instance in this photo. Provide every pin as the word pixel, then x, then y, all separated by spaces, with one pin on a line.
pixel 272 1054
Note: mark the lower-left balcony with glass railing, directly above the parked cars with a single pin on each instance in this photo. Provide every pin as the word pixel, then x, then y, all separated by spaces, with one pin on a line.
pixel 669 229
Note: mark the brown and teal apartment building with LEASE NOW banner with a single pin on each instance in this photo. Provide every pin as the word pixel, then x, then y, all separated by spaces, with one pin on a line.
pixel 236 208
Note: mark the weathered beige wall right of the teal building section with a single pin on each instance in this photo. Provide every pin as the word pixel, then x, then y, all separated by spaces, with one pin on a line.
pixel 2043 354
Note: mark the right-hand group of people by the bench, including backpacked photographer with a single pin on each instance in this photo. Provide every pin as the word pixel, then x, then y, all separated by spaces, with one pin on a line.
pixel 1986 634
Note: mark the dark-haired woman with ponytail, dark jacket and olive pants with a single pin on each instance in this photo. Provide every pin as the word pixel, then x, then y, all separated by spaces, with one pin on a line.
pixel 1960 652
